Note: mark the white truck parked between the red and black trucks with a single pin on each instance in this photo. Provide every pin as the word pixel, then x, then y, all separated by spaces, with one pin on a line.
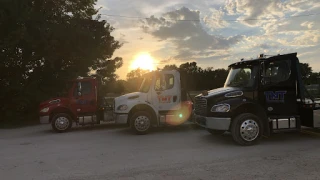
pixel 160 100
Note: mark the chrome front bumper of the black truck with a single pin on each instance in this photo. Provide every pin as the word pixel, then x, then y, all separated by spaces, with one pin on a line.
pixel 215 123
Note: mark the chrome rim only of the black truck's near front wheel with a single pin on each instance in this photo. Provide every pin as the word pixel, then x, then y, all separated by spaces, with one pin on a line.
pixel 249 130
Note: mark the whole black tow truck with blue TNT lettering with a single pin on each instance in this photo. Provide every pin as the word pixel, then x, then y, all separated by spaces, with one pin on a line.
pixel 260 97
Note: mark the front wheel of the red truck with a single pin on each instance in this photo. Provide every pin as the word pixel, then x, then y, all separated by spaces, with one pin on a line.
pixel 61 122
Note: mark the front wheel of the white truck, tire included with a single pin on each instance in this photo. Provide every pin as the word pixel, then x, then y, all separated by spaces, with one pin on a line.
pixel 140 122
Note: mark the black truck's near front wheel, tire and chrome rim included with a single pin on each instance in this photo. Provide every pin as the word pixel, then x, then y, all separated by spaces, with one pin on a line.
pixel 246 129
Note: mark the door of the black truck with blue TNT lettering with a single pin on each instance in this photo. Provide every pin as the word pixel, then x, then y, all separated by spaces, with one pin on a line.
pixel 278 88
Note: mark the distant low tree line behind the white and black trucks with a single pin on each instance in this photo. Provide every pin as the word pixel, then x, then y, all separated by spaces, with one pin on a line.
pixel 198 78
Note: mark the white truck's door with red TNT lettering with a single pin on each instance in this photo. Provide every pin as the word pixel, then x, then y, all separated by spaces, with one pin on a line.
pixel 166 94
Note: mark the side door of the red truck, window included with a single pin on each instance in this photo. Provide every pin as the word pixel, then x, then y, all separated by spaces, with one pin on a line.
pixel 84 100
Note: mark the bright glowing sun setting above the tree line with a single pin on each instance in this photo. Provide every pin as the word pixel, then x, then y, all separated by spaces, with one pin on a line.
pixel 143 61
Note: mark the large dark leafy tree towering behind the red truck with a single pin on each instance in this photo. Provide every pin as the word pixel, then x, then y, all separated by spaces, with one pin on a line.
pixel 45 42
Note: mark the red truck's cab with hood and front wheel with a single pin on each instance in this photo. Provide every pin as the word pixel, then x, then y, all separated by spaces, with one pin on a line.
pixel 81 103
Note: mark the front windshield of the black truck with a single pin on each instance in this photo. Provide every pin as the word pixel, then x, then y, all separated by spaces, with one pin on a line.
pixel 242 76
